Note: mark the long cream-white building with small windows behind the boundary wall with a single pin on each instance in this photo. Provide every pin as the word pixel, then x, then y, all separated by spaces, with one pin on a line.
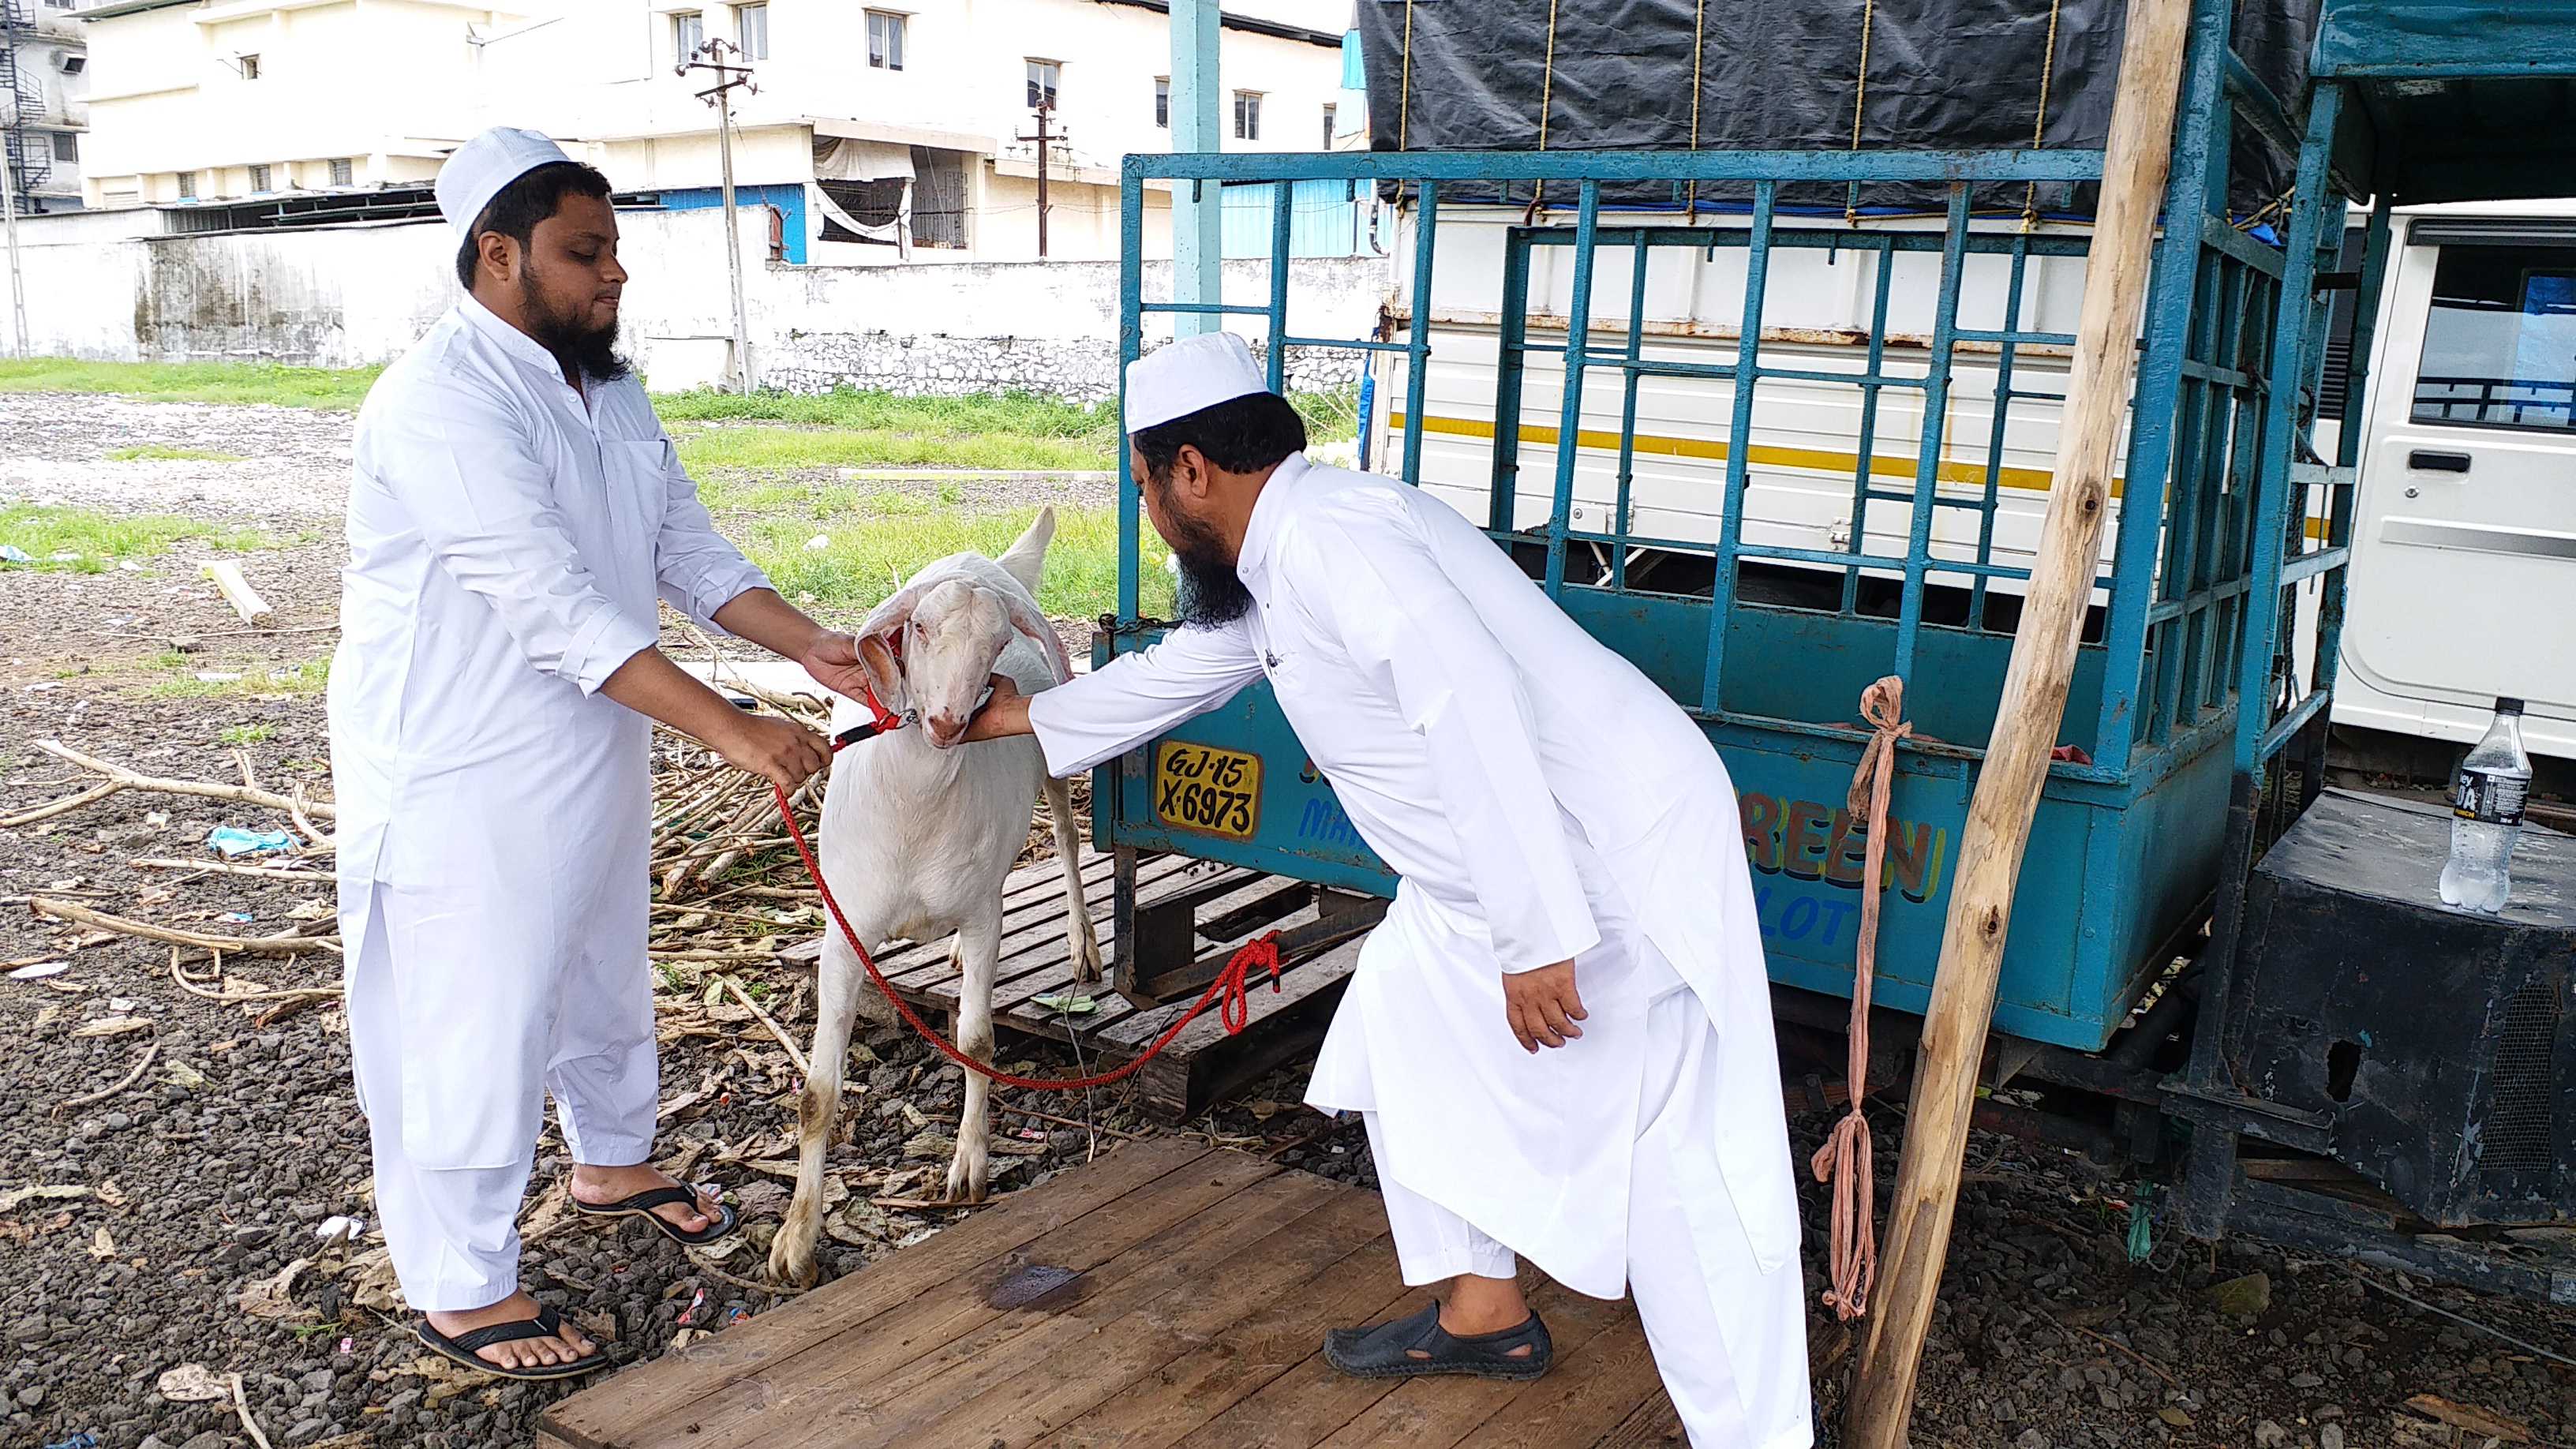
pixel 877 135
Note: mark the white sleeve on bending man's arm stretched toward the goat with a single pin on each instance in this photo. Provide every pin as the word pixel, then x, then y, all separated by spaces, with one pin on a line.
pixel 1137 697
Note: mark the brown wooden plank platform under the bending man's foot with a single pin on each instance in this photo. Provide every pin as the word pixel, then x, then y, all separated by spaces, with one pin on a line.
pixel 1163 1296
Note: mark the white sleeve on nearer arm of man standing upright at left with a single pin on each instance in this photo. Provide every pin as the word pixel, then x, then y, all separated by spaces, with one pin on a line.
pixel 473 483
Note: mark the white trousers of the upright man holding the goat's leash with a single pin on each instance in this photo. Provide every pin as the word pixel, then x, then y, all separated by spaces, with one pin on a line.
pixel 455 1231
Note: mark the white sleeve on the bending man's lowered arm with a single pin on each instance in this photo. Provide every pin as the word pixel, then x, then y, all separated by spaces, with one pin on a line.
pixel 1410 630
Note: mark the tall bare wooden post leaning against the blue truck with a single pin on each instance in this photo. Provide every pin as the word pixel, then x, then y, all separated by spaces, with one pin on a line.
pixel 2026 726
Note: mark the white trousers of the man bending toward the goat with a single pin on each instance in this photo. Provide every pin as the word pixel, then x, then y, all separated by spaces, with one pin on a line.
pixel 1689 1259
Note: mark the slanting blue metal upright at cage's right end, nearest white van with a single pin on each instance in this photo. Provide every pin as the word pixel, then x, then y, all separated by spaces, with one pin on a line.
pixel 2278 434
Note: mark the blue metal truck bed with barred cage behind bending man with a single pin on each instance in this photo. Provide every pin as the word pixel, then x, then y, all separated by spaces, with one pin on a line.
pixel 2199 710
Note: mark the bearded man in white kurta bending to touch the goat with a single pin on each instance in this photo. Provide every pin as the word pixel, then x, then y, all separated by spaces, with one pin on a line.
pixel 1542 803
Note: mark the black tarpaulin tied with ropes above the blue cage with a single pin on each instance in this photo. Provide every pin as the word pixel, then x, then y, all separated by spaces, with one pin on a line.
pixel 1781 76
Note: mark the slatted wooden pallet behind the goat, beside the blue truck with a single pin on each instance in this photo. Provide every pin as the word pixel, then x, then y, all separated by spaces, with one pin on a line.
pixel 1194 914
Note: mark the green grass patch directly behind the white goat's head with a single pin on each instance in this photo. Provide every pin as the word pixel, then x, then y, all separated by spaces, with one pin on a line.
pixel 880 540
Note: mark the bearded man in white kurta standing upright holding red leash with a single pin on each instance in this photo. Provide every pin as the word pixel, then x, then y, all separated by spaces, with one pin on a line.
pixel 516 517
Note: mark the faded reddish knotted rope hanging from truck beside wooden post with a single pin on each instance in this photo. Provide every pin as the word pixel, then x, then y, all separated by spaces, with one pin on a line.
pixel 1843 1164
